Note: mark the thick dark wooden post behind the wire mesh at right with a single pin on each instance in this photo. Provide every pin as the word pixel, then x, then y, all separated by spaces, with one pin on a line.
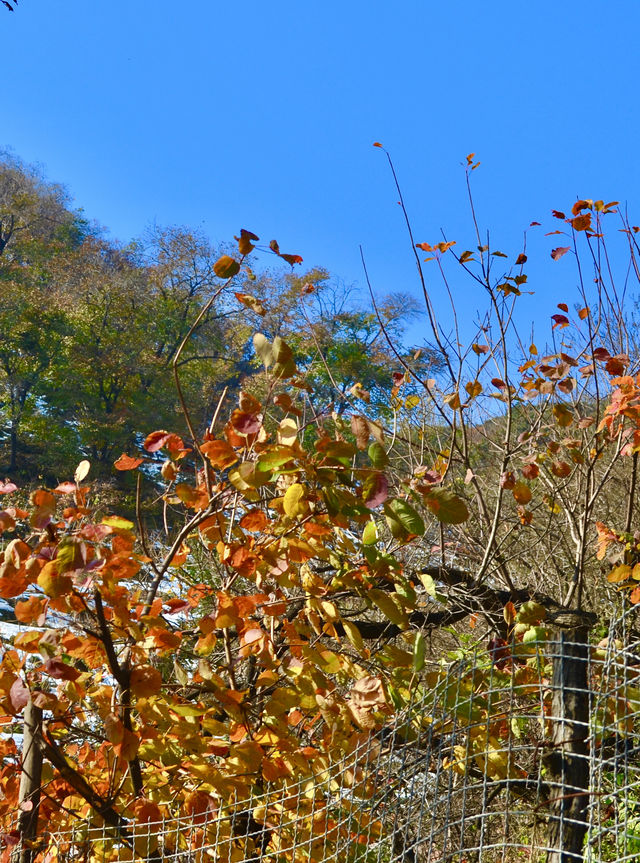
pixel 567 762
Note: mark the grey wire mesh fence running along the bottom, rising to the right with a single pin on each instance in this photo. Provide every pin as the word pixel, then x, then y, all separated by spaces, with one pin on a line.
pixel 526 752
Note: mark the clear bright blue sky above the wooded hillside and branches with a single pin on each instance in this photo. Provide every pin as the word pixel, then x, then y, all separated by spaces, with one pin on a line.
pixel 262 115
